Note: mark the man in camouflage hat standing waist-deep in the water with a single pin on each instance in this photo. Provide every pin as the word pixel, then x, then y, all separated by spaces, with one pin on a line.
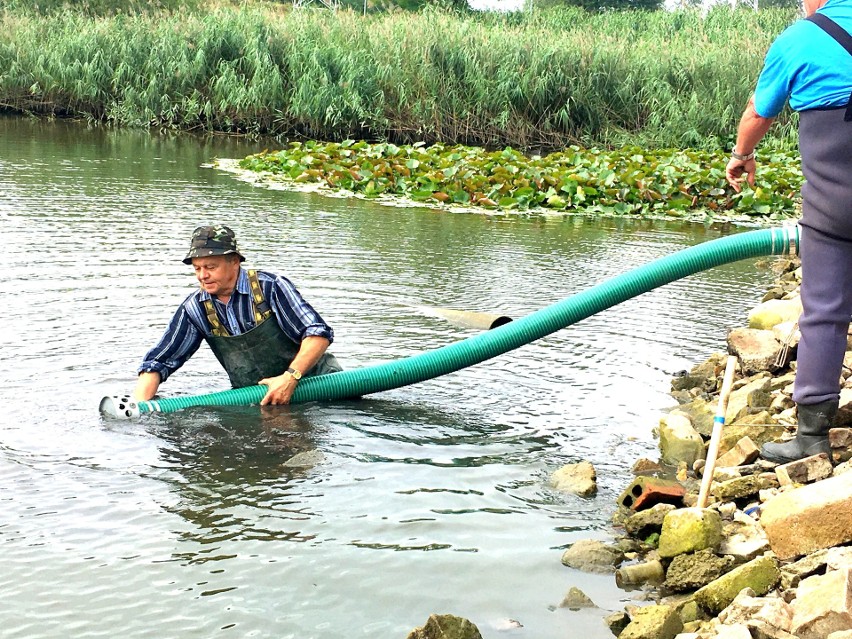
pixel 256 323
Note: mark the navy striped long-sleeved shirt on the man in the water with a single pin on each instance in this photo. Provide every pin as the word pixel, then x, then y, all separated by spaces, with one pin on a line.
pixel 189 326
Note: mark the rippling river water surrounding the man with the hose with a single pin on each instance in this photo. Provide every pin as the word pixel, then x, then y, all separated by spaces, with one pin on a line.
pixel 429 499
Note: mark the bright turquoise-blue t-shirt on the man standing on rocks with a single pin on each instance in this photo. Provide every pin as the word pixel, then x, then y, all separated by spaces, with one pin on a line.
pixel 808 66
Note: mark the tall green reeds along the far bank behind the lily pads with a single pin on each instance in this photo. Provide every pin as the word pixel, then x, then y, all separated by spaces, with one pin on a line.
pixel 539 81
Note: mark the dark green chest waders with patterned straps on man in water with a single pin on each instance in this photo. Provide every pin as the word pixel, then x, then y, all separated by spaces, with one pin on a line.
pixel 264 351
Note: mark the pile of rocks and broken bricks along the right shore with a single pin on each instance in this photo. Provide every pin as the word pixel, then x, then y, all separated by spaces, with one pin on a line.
pixel 770 556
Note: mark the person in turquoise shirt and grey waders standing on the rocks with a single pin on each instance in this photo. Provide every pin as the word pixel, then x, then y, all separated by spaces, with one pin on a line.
pixel 810 64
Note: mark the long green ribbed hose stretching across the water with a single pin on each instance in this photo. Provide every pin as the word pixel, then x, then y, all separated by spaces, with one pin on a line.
pixel 476 349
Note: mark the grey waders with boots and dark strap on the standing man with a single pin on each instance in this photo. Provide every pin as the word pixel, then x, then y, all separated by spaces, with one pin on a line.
pixel 825 143
